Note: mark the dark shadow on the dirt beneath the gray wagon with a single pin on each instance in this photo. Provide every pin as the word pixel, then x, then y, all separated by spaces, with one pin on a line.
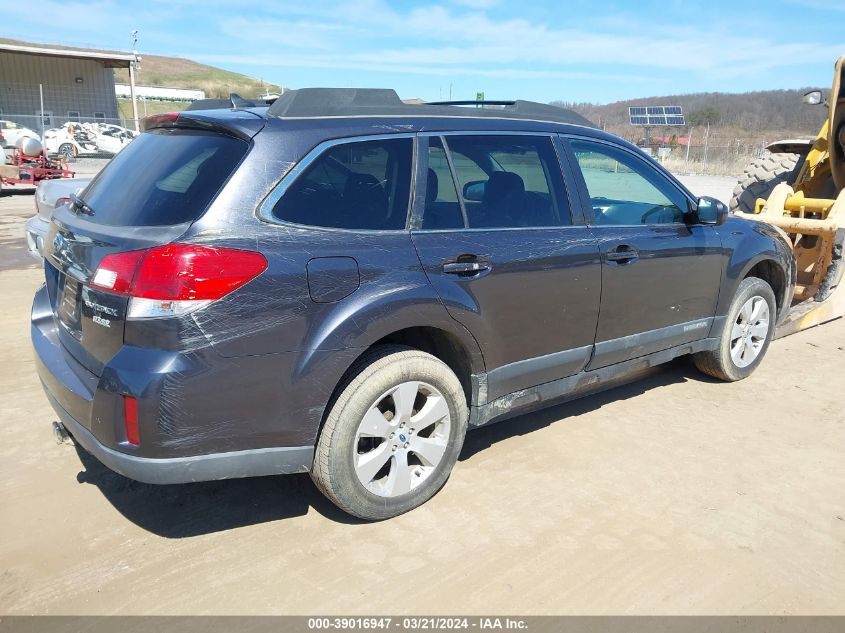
pixel 186 510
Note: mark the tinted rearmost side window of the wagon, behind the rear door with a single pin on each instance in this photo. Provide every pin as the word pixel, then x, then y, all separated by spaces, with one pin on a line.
pixel 355 185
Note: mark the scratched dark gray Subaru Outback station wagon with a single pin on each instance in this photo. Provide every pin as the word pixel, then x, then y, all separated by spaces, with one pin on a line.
pixel 343 284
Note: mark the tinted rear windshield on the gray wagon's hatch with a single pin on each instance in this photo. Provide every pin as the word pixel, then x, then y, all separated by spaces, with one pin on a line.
pixel 163 177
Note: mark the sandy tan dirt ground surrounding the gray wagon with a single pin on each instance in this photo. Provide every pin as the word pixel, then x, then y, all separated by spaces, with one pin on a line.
pixel 672 494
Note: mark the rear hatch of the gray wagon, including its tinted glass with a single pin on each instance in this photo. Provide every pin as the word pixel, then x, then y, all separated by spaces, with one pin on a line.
pixel 147 196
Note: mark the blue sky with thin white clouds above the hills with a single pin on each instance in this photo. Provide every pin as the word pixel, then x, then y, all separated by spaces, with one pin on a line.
pixel 571 50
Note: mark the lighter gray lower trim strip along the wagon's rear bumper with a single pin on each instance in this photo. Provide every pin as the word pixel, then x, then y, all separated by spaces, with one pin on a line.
pixel 179 470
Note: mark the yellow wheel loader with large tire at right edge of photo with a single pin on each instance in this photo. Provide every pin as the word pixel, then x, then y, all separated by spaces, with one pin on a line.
pixel 800 189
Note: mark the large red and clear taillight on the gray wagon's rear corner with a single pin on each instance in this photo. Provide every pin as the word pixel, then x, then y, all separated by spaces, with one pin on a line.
pixel 176 279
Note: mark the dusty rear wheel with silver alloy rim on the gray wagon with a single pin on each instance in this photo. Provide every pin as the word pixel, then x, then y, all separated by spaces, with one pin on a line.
pixel 401 408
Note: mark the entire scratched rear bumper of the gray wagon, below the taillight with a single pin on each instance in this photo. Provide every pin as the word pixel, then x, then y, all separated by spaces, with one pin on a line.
pixel 202 442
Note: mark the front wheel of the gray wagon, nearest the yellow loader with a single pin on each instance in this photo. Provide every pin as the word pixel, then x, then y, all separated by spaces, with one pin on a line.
pixel 749 327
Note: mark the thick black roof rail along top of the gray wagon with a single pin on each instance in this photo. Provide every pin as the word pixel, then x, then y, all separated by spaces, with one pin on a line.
pixel 307 103
